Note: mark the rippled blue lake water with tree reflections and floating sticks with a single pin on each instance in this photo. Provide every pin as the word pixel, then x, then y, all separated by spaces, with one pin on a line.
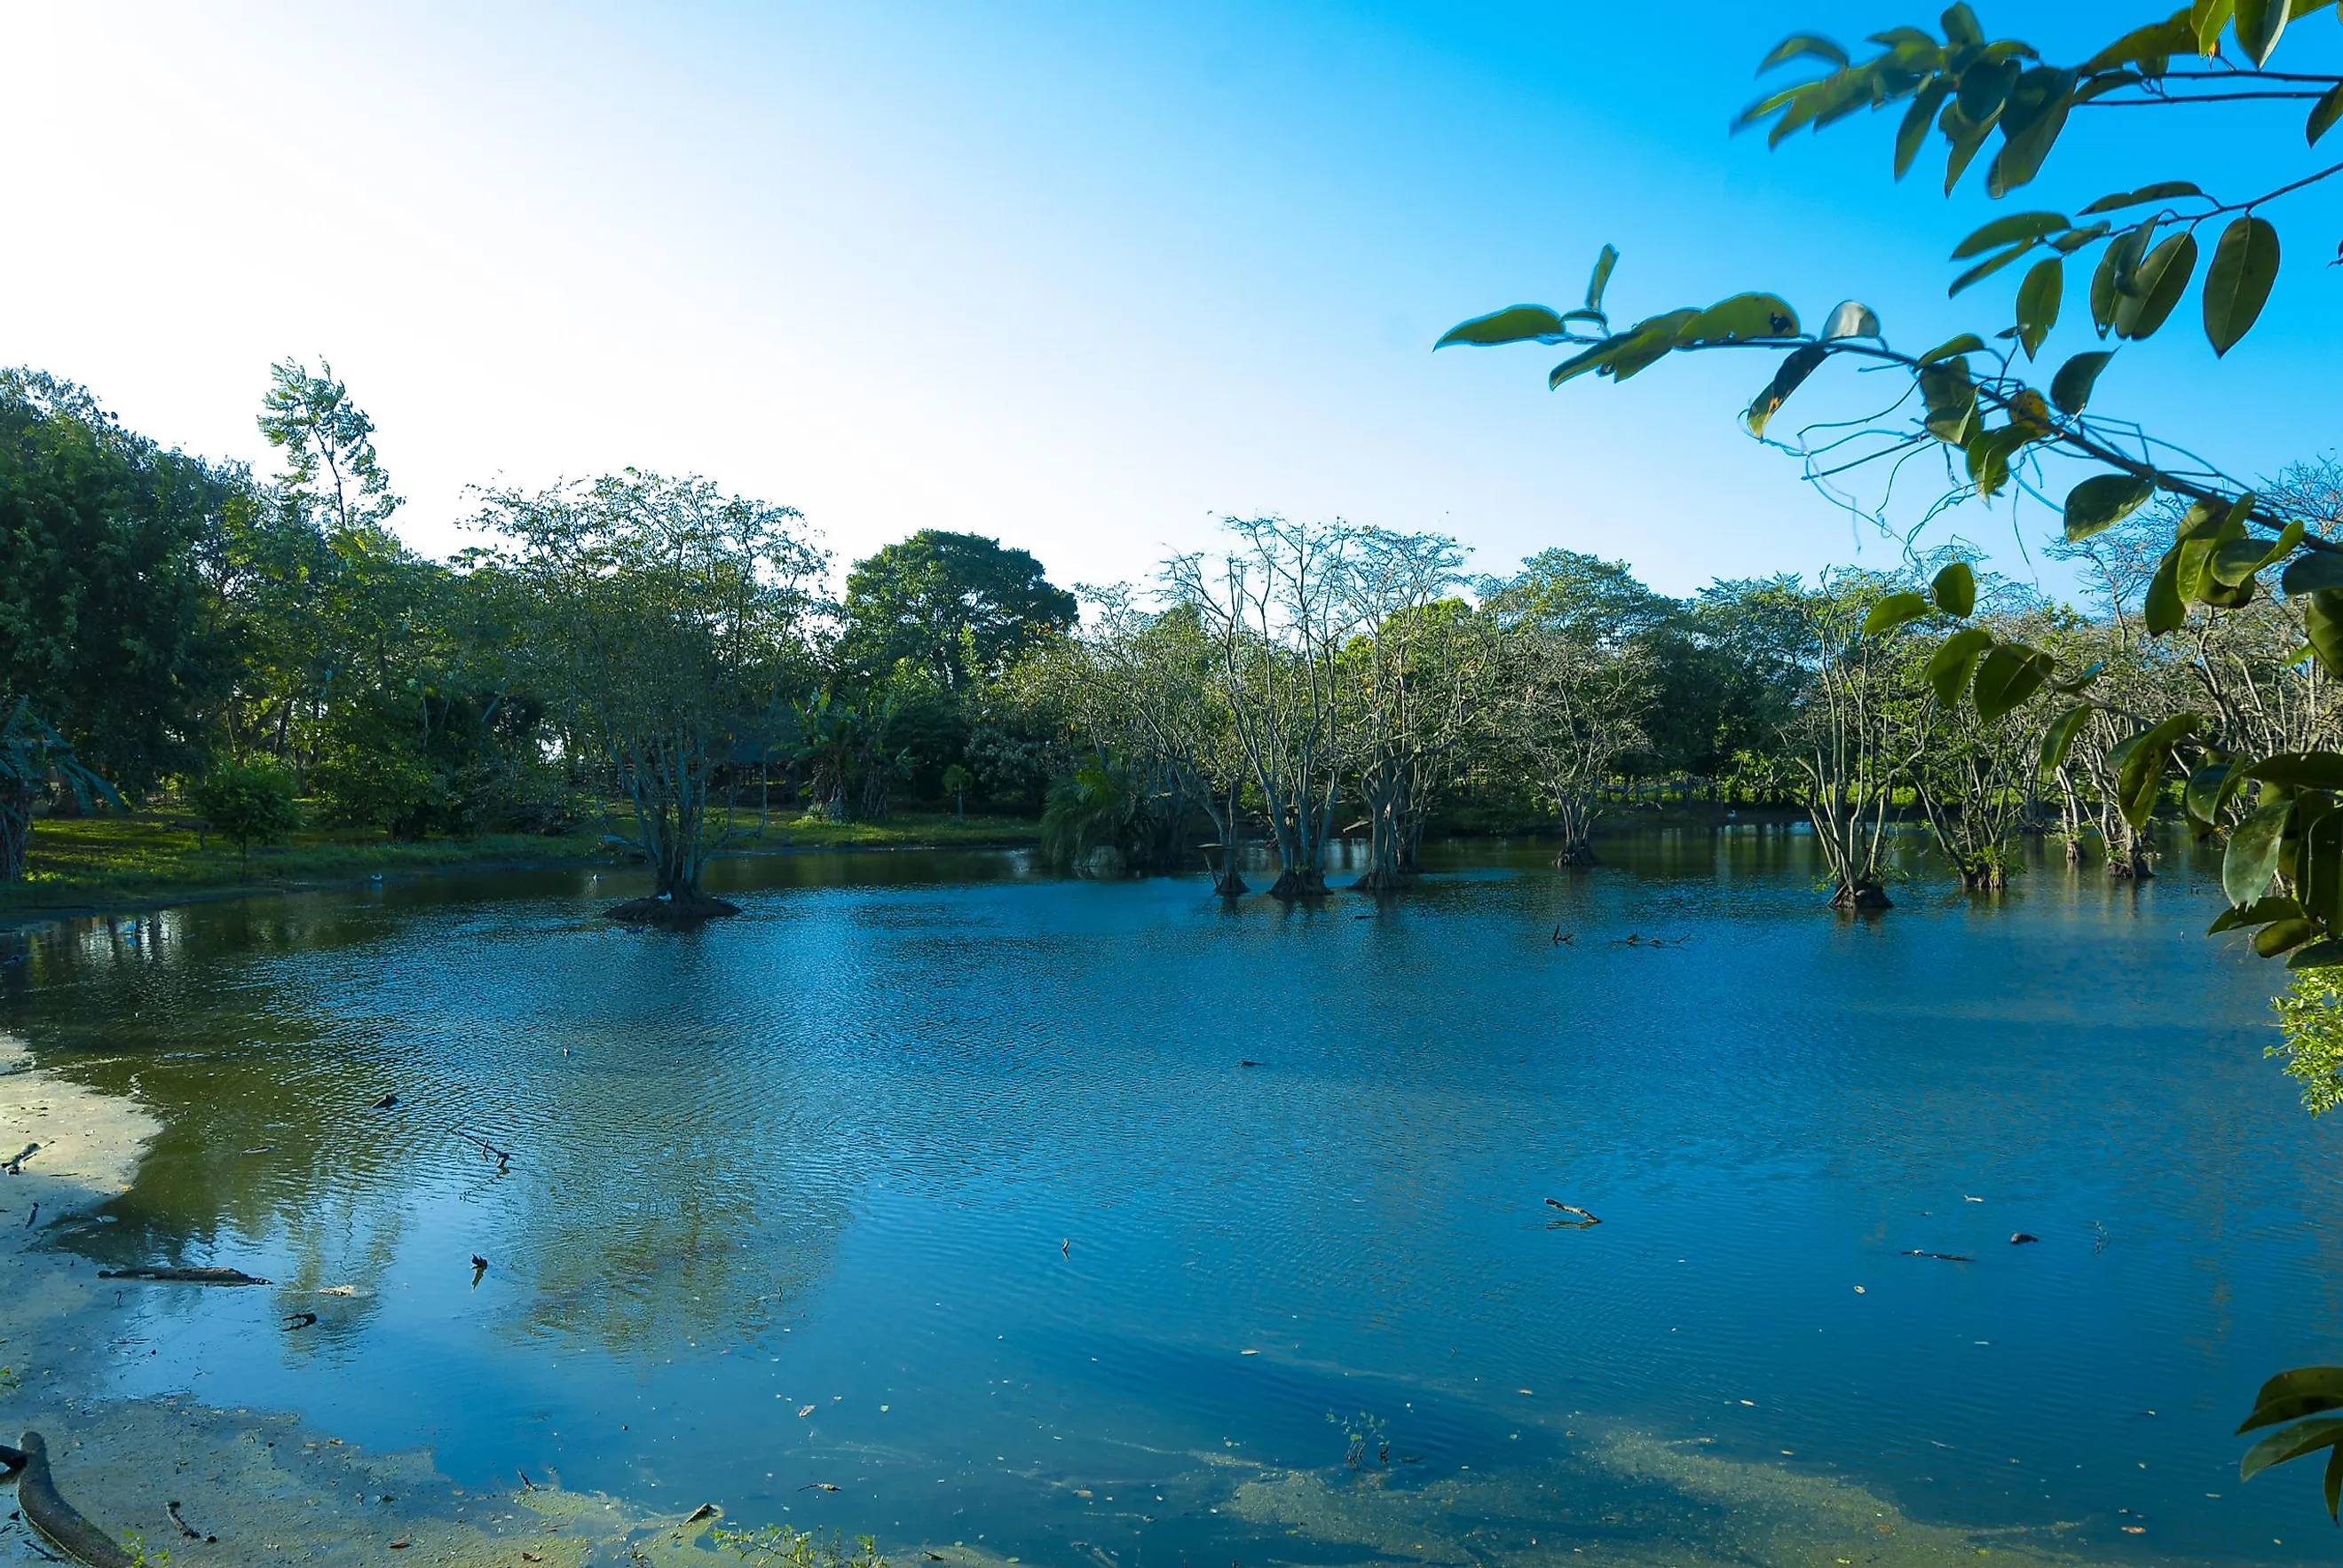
pixel 945 1182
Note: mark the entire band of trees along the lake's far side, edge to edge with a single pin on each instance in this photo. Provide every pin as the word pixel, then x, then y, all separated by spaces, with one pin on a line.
pixel 667 648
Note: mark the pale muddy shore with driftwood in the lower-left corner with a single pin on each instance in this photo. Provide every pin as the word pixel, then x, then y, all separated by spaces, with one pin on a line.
pixel 252 1485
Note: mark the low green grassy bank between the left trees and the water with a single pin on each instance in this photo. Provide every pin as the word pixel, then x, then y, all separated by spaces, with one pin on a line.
pixel 153 857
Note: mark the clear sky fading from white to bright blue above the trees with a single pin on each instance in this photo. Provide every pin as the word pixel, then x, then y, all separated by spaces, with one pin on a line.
pixel 1081 278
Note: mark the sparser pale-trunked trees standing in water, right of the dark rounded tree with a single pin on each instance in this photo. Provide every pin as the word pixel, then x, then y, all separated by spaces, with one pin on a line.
pixel 1323 681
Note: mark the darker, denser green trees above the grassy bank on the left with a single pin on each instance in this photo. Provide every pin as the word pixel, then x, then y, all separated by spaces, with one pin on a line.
pixel 266 650
